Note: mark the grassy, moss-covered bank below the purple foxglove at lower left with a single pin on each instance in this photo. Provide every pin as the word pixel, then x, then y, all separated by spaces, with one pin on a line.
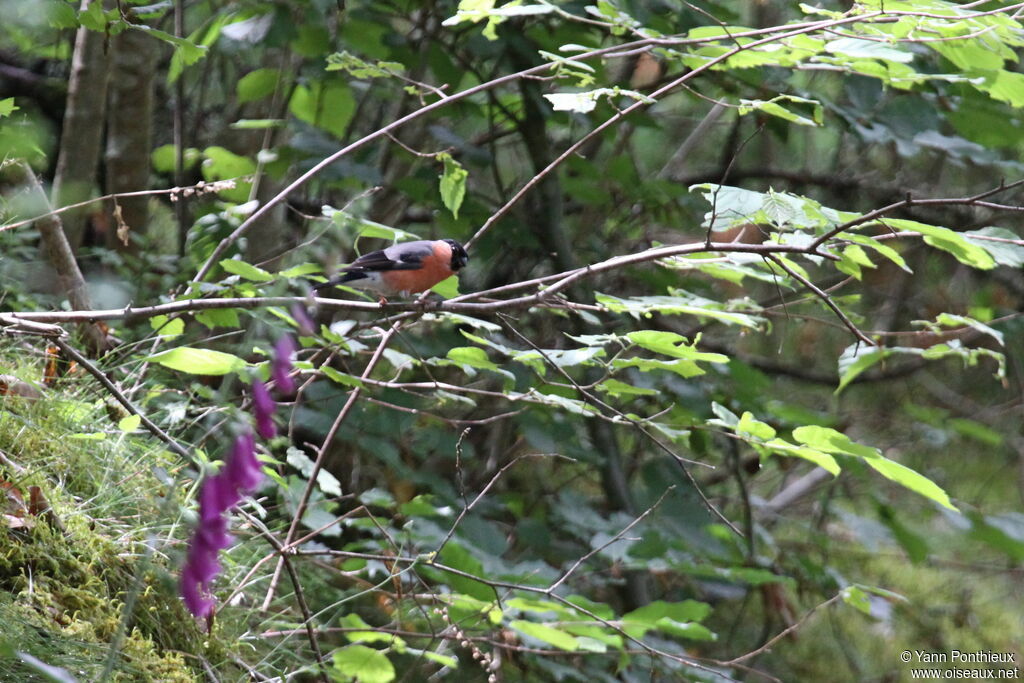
pixel 66 578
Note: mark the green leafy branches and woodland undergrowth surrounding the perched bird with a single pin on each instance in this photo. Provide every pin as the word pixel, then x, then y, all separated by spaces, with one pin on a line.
pixel 741 301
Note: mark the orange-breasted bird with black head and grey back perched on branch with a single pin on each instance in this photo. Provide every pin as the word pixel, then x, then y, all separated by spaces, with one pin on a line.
pixel 404 269
